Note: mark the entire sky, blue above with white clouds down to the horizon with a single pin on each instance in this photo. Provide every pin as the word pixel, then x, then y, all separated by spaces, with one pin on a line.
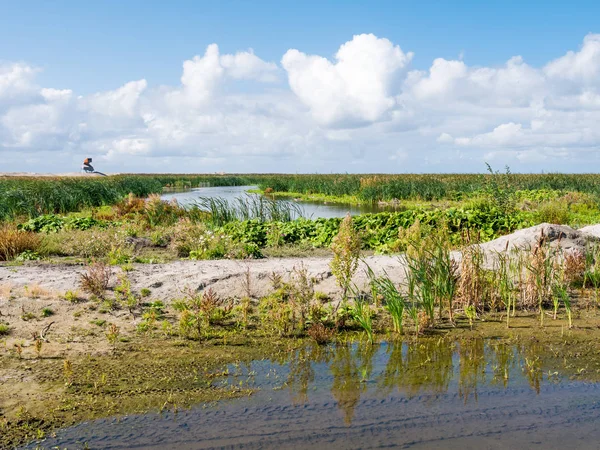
pixel 299 87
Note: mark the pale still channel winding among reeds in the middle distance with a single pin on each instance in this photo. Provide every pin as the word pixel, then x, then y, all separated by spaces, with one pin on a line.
pixel 310 209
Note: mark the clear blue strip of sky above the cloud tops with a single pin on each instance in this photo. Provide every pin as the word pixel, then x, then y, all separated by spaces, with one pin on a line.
pixel 90 46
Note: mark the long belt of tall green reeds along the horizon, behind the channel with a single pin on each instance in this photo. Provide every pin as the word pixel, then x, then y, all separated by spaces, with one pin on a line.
pixel 31 196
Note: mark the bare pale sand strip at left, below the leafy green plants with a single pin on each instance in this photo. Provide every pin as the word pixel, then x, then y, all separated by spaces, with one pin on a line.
pixel 26 290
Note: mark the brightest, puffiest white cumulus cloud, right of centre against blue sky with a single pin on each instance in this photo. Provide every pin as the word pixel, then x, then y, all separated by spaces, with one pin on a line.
pixel 356 89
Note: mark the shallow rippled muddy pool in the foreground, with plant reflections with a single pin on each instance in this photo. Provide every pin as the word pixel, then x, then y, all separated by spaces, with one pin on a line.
pixel 431 394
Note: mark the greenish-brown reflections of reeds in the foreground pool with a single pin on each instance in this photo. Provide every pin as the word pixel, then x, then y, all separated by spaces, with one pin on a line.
pixel 432 366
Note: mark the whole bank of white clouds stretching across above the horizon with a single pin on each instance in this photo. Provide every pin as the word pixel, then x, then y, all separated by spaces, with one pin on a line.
pixel 364 110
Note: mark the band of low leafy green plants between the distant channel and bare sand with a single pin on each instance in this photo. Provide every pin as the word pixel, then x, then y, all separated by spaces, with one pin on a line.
pixel 138 230
